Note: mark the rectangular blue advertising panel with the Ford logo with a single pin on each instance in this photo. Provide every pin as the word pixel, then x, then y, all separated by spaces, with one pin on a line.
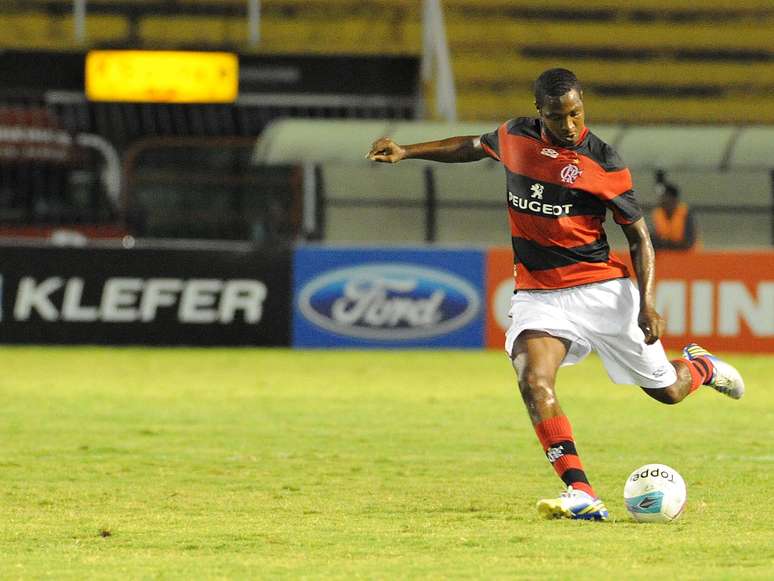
pixel 383 298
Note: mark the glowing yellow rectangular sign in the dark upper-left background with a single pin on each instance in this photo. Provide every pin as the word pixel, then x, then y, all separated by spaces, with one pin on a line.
pixel 162 76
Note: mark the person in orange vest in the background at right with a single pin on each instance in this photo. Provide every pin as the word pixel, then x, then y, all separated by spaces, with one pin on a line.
pixel 672 224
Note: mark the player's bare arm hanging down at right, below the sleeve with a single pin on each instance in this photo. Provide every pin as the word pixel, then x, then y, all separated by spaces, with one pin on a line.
pixel 644 261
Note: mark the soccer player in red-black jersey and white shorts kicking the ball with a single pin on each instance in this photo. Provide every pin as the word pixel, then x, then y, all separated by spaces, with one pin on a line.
pixel 571 295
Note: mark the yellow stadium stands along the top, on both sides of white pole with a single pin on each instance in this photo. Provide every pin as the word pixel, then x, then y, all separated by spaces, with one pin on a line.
pixel 644 61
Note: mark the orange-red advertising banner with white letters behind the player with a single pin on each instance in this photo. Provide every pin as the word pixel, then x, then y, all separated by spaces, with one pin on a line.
pixel 722 300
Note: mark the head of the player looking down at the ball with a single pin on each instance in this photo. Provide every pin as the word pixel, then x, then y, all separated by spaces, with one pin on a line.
pixel 559 102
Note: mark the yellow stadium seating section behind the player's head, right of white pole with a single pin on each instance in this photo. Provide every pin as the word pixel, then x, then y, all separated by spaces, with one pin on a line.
pixel 644 61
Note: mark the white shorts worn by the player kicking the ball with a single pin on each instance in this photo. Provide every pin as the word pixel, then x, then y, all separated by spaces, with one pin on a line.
pixel 600 316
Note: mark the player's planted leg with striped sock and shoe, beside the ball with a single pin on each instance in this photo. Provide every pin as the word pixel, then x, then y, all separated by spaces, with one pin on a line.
pixel 536 357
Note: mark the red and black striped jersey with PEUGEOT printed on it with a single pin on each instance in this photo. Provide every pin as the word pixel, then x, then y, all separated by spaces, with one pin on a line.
pixel 557 200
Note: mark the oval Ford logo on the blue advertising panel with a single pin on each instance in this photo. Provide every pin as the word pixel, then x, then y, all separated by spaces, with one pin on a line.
pixel 388 302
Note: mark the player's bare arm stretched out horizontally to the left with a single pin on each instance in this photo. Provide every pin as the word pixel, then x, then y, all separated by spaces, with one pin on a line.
pixel 451 150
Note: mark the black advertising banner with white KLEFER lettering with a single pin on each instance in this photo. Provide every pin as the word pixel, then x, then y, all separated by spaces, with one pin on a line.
pixel 144 296
